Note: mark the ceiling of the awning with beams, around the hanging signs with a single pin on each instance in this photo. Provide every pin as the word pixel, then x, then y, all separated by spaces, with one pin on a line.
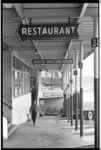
pixel 51 13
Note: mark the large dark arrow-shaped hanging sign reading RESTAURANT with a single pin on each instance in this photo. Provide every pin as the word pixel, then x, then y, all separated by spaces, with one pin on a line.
pixel 47 31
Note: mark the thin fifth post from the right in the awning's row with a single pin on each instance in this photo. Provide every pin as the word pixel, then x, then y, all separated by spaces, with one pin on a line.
pixel 68 93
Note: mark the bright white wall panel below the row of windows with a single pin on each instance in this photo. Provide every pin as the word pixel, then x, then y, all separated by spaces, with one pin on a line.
pixel 21 107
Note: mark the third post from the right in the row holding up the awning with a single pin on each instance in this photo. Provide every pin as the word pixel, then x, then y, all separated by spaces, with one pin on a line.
pixel 76 85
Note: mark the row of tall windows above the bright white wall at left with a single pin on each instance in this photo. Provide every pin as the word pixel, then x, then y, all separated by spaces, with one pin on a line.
pixel 21 78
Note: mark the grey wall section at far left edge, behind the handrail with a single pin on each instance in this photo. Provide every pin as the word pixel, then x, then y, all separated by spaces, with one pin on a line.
pixel 7 83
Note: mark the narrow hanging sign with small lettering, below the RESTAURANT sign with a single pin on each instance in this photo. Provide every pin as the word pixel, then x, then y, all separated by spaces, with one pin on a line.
pixel 52 61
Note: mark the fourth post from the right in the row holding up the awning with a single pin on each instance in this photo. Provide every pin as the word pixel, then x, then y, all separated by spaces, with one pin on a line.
pixel 71 92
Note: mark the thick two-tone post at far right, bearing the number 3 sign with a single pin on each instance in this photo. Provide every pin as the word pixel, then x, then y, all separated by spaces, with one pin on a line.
pixel 96 89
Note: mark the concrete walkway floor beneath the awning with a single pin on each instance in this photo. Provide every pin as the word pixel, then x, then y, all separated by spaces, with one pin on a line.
pixel 50 132
